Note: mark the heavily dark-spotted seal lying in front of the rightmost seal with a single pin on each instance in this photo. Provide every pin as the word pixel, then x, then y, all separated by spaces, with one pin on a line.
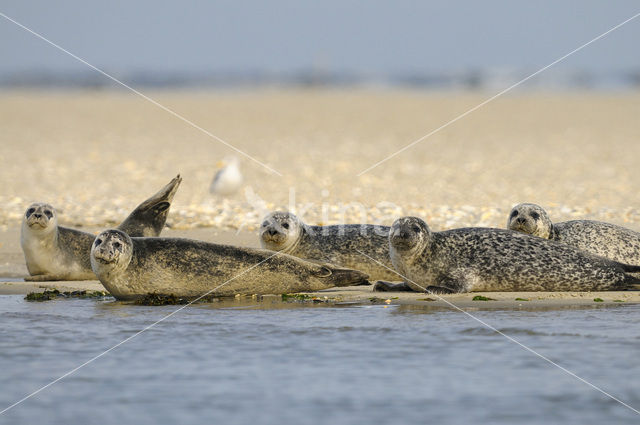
pixel 481 259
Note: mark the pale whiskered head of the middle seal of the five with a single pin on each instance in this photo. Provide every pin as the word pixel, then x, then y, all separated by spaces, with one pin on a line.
pixel 281 231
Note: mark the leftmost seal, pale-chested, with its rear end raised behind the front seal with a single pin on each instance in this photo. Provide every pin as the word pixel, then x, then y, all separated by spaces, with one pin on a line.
pixel 54 252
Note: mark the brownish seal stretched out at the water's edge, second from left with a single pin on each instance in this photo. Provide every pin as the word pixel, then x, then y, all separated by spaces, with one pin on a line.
pixel 130 268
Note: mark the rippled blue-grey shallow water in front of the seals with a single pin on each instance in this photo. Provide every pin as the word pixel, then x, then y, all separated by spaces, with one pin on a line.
pixel 239 363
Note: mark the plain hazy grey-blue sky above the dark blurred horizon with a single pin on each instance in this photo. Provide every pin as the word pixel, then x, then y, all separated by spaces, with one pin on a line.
pixel 364 37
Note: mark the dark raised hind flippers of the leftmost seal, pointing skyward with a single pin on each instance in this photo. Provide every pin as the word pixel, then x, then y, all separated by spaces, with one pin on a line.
pixel 149 217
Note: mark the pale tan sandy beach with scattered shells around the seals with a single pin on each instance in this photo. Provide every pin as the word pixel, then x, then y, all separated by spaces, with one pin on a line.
pixel 102 153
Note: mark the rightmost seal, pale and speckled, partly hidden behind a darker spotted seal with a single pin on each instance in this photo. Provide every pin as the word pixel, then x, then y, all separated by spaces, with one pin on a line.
pixel 616 243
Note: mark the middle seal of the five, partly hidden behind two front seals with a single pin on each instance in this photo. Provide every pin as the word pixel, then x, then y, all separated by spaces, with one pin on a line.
pixel 338 244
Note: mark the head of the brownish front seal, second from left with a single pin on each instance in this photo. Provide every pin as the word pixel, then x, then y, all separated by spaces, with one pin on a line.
pixel 112 249
